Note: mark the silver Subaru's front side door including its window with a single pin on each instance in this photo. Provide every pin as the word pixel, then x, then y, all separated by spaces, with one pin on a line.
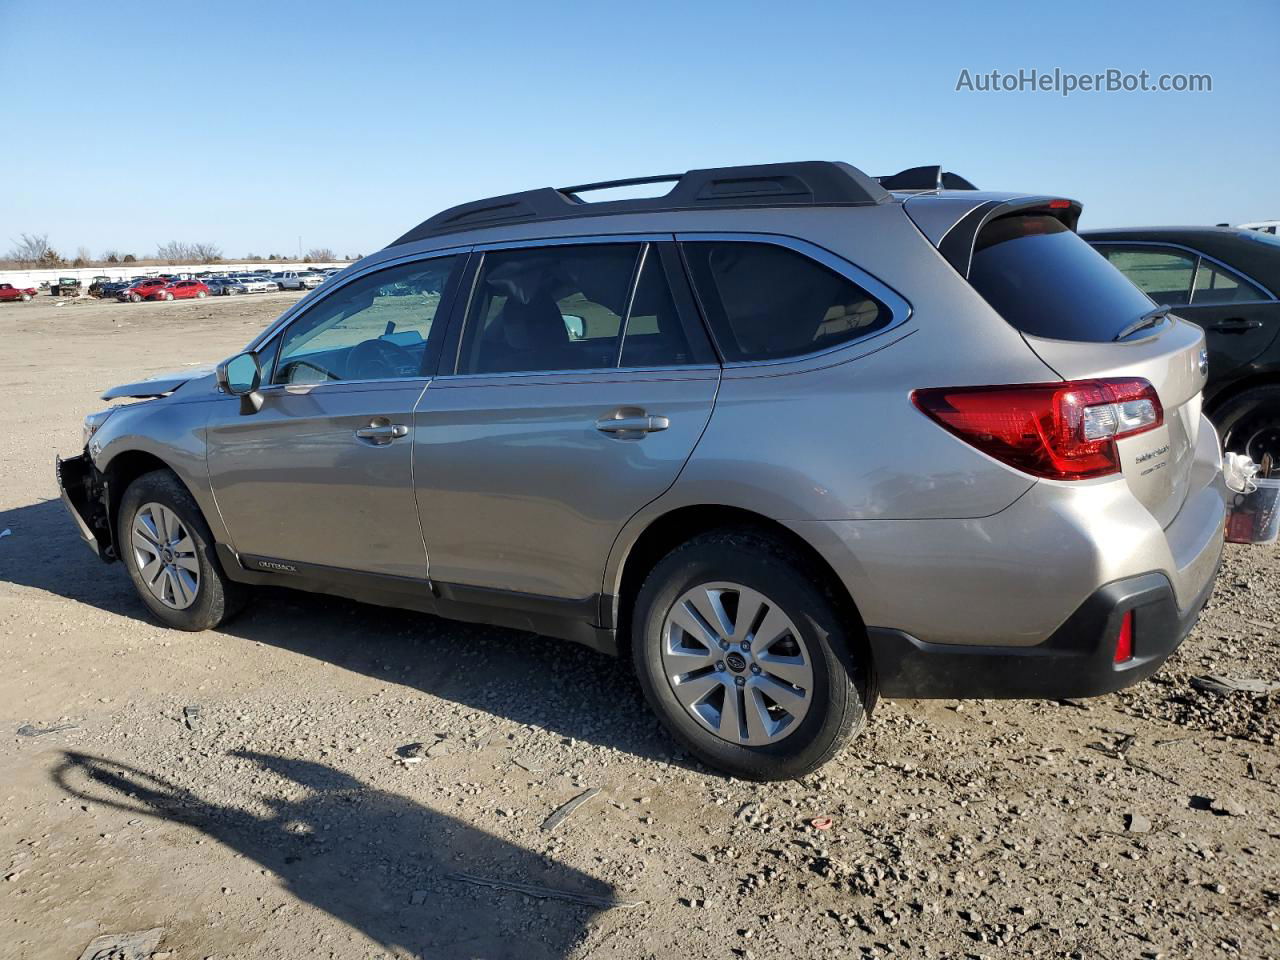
pixel 323 473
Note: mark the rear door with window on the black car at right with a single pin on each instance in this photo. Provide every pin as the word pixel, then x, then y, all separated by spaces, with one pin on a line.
pixel 1240 318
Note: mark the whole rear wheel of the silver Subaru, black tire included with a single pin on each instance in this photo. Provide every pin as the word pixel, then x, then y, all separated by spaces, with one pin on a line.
pixel 838 688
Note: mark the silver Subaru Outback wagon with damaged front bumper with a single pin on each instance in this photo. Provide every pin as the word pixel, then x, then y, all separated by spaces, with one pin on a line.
pixel 788 440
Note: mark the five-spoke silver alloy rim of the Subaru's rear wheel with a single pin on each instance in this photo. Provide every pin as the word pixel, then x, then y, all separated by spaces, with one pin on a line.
pixel 737 662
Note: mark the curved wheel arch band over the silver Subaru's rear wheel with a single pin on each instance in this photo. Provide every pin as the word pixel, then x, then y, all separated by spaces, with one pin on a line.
pixel 669 531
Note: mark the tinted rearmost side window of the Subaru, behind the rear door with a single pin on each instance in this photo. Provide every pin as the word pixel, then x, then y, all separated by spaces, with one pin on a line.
pixel 769 303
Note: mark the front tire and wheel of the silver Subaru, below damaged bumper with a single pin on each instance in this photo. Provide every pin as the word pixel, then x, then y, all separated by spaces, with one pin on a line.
pixel 213 598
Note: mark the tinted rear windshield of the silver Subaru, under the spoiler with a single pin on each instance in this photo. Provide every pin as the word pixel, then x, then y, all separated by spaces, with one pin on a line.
pixel 1048 282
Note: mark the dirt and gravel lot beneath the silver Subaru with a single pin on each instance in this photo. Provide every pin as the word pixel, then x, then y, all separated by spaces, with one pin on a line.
pixel 244 789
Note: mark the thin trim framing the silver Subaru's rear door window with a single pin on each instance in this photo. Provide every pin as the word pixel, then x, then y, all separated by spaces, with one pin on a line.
pixel 651 244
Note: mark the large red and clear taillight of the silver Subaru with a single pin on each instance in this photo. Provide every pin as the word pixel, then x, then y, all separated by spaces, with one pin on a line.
pixel 1057 431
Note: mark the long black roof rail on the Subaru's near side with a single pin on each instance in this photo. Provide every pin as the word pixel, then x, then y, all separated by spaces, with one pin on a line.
pixel 806 184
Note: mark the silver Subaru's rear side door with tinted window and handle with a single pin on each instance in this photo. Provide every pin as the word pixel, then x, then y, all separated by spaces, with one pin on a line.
pixel 580 383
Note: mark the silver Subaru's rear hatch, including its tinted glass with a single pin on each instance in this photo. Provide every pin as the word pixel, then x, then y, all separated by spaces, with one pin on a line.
pixel 1082 318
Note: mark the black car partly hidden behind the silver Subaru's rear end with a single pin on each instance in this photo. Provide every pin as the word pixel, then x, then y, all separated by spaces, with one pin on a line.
pixel 1227 281
